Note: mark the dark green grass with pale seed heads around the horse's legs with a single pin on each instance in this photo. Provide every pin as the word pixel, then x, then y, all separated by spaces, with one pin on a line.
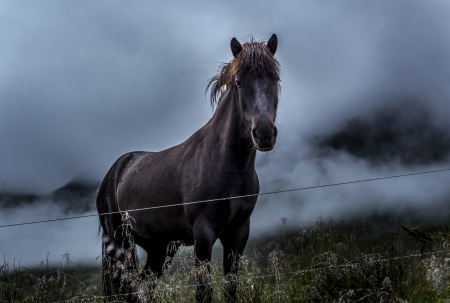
pixel 338 262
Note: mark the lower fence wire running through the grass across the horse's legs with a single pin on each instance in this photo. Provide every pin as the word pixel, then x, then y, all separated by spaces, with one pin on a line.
pixel 297 272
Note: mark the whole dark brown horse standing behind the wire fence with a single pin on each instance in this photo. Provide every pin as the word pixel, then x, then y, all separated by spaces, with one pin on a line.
pixel 217 161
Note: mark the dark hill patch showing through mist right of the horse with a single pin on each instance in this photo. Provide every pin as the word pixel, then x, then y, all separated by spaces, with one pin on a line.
pixel 404 133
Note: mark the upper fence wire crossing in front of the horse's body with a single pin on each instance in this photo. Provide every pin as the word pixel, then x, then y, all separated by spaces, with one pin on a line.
pixel 230 198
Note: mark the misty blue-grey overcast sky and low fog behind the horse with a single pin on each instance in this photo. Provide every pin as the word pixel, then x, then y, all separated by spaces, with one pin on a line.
pixel 83 82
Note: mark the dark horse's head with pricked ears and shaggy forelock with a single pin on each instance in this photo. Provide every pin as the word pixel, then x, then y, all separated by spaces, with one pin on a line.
pixel 252 77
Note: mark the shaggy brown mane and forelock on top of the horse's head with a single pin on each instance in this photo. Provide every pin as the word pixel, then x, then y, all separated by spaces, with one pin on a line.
pixel 255 57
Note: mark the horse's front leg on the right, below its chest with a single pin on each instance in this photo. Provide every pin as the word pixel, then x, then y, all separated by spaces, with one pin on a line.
pixel 233 241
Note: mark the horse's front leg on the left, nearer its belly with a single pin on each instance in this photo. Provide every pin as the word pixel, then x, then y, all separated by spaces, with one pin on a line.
pixel 204 237
